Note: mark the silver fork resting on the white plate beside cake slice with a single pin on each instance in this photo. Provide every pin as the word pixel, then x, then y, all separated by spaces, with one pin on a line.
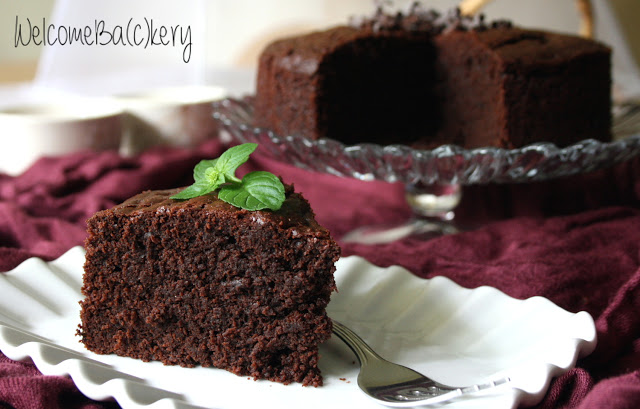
pixel 396 385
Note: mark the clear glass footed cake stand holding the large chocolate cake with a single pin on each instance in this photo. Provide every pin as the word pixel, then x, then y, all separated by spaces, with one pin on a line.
pixel 433 178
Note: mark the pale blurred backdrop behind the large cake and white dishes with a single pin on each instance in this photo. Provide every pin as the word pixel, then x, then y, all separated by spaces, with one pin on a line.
pixel 228 35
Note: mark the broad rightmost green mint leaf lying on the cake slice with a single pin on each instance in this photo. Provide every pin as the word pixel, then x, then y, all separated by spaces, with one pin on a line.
pixel 258 190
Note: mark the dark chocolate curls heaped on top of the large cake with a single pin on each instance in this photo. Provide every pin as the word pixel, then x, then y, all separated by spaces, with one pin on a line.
pixel 419 18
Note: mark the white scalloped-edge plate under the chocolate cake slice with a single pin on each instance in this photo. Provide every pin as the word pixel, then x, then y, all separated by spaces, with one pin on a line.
pixel 457 335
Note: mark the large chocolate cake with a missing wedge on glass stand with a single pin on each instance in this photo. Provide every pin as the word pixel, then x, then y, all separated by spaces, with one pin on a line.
pixel 426 79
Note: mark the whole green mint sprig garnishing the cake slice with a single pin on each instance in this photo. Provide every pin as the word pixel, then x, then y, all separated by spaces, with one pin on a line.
pixel 255 191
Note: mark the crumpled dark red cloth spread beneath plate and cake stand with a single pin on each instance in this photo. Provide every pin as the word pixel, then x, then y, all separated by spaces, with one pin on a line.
pixel 575 241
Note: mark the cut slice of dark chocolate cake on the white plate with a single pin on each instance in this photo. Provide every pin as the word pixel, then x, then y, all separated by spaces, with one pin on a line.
pixel 201 282
